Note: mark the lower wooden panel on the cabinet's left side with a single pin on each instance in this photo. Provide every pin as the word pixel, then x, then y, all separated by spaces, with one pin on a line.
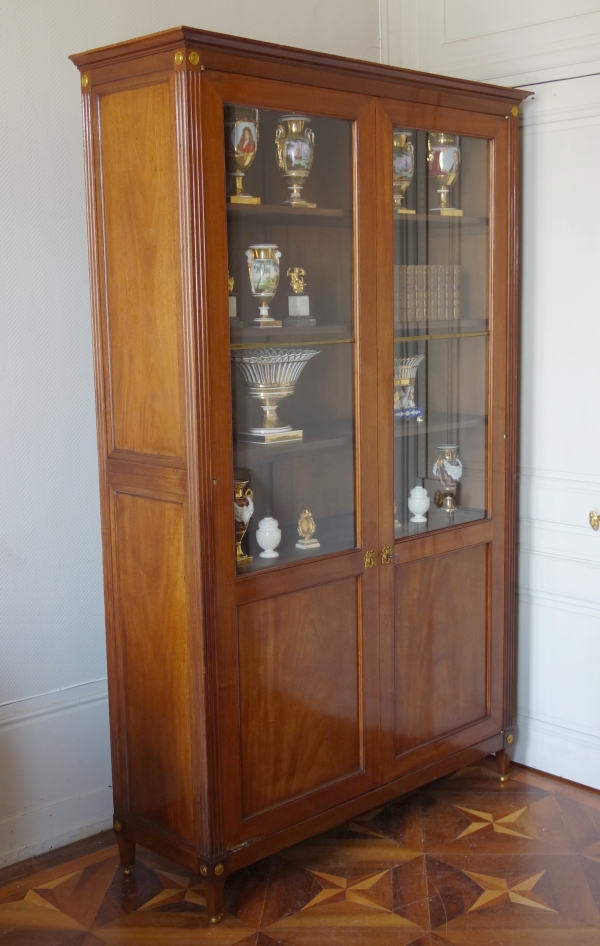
pixel 153 657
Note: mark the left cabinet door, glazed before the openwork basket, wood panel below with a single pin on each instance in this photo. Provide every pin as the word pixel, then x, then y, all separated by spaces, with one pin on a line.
pixel 291 286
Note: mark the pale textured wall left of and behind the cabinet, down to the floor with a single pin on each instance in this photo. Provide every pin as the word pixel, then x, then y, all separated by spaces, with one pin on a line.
pixel 54 755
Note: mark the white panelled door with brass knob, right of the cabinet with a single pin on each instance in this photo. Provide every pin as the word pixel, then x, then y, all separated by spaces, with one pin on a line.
pixel 559 628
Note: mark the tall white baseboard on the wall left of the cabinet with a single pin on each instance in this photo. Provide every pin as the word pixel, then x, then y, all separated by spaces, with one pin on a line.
pixel 55 776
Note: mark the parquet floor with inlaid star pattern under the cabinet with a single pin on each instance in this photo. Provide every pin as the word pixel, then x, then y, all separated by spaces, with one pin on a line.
pixel 465 861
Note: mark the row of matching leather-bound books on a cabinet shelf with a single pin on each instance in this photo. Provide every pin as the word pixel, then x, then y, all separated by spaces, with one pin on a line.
pixel 427 293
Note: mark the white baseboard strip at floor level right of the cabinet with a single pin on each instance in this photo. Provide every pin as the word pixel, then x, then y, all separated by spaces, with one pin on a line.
pixel 558 750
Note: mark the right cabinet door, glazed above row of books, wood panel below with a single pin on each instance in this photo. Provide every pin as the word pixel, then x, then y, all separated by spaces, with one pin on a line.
pixel 445 378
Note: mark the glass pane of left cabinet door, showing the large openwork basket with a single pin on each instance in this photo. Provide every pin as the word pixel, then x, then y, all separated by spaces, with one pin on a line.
pixel 289 210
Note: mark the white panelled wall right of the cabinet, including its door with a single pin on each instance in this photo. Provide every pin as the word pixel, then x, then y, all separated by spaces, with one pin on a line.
pixel 520 42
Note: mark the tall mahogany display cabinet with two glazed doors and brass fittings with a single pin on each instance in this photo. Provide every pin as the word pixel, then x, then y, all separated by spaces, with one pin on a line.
pixel 304 298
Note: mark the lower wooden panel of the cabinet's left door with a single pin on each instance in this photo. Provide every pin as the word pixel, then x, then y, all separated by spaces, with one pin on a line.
pixel 299 658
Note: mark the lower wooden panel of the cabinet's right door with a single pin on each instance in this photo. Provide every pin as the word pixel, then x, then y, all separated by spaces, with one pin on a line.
pixel 441 649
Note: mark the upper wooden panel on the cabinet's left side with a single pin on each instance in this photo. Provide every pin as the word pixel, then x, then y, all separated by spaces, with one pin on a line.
pixel 141 245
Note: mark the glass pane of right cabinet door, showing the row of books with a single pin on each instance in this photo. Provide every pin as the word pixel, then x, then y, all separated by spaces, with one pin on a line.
pixel 441 232
